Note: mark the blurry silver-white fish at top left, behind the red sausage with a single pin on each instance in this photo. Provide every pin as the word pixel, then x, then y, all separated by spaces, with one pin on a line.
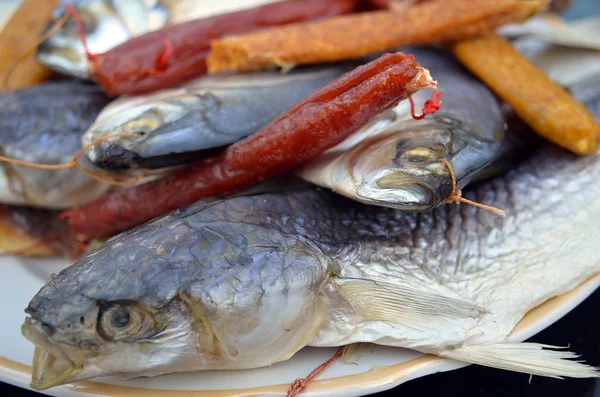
pixel 106 24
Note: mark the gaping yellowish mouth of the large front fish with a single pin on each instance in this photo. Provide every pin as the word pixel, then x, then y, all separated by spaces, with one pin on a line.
pixel 51 366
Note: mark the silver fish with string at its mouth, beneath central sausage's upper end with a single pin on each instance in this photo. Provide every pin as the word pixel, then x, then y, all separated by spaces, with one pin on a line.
pixel 395 162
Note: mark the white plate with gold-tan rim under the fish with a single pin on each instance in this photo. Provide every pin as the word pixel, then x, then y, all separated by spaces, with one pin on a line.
pixel 377 368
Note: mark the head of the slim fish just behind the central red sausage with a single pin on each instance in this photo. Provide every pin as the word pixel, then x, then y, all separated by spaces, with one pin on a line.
pixel 145 120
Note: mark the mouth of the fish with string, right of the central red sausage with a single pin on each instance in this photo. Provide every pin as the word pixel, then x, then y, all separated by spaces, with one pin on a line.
pixel 400 191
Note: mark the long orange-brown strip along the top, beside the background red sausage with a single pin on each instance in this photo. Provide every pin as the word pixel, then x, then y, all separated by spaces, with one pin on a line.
pixel 353 36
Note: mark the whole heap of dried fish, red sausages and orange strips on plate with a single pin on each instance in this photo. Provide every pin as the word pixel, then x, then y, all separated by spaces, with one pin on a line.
pixel 203 274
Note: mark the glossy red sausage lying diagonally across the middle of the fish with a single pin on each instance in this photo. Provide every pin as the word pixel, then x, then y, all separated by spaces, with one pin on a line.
pixel 316 123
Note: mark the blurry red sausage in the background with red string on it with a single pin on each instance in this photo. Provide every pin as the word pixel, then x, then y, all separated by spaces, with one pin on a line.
pixel 177 53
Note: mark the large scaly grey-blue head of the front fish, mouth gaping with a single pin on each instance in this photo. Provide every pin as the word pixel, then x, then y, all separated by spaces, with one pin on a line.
pixel 208 287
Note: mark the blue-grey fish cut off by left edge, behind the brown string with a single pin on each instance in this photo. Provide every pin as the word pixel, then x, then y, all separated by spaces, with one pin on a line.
pixel 43 124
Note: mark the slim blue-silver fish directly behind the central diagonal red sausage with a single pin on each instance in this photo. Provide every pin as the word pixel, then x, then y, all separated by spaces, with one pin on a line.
pixel 180 125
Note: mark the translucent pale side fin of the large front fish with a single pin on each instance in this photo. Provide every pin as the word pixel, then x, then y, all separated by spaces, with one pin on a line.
pixel 405 305
